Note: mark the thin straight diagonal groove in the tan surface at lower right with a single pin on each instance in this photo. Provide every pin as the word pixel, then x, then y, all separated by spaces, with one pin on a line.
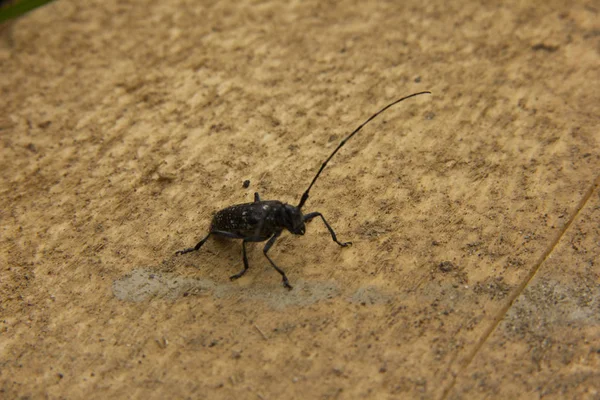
pixel 504 310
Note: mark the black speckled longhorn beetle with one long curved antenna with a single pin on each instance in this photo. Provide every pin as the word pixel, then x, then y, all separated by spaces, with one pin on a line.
pixel 265 220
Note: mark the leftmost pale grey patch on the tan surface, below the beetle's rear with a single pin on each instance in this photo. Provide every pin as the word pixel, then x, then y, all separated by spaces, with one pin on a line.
pixel 143 284
